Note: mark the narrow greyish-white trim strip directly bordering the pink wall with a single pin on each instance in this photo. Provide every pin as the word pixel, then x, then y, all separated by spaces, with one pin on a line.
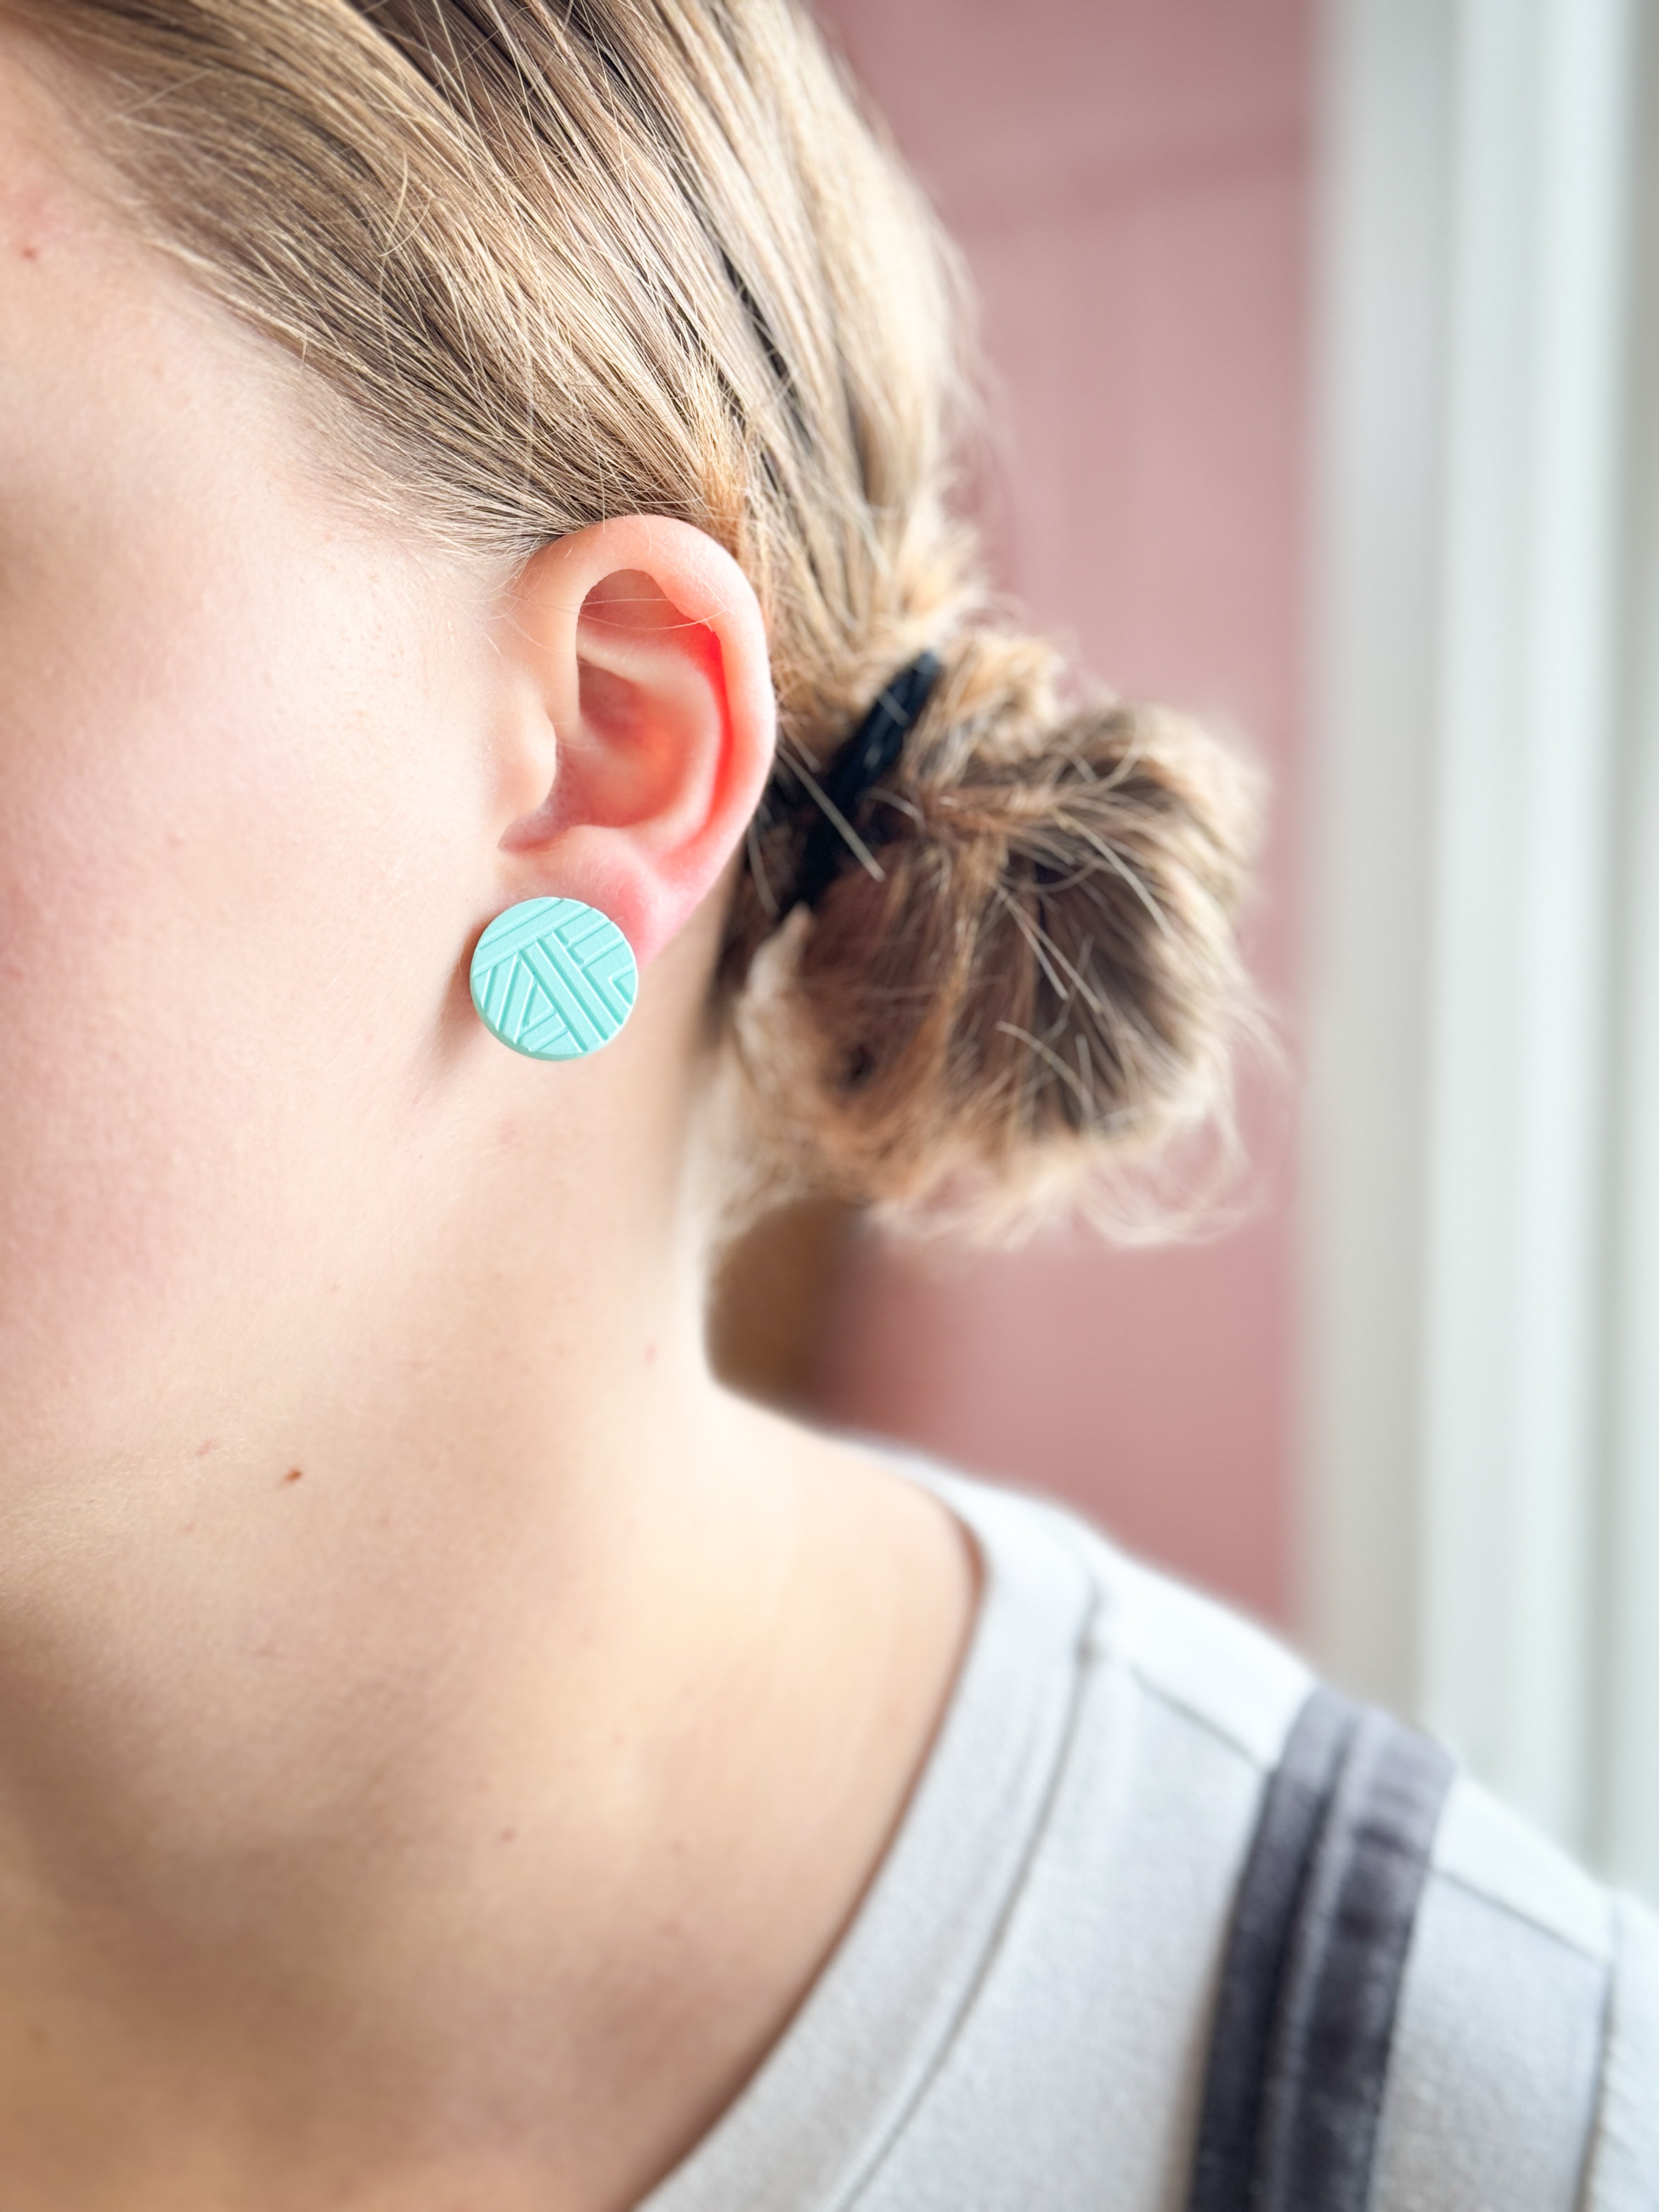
pixel 1377 616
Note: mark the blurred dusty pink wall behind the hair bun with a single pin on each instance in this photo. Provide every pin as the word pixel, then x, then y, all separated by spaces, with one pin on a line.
pixel 1131 180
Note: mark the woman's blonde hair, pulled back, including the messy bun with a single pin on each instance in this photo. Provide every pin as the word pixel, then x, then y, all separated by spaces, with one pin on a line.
pixel 578 258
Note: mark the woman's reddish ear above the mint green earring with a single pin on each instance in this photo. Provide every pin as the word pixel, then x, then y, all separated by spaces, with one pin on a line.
pixel 643 727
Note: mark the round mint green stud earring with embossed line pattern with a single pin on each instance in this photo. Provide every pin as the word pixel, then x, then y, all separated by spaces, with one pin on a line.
pixel 554 979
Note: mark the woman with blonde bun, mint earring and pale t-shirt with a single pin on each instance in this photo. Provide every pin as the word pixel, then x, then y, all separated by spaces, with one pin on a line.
pixel 457 457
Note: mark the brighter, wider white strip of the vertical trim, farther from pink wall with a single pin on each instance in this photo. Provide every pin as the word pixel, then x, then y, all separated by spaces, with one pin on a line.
pixel 1523 879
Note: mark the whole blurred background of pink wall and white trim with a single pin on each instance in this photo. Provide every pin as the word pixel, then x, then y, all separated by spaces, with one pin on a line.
pixel 1324 348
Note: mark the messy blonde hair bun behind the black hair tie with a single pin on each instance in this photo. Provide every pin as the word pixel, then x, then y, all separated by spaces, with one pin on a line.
pixel 1045 981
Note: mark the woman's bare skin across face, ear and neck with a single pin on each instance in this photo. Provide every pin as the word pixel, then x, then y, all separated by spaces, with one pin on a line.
pixel 444 1733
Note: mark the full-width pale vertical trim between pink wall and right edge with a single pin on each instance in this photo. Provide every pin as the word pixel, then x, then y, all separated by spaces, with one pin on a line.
pixel 1461 1107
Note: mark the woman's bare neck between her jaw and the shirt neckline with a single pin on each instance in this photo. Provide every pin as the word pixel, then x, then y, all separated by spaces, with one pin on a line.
pixel 359 1731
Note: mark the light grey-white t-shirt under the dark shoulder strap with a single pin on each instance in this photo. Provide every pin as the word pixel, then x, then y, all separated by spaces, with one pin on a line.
pixel 1019 2016
